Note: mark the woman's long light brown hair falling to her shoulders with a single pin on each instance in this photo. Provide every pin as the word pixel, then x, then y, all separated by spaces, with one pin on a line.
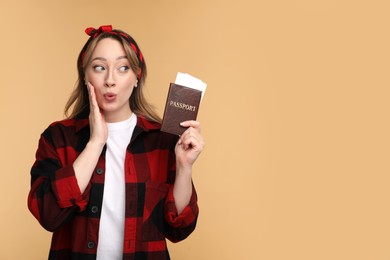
pixel 78 102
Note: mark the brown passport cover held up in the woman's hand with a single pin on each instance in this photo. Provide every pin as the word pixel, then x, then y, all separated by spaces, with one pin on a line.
pixel 182 105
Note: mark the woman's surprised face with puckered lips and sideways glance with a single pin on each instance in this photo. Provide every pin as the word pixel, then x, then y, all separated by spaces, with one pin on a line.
pixel 110 74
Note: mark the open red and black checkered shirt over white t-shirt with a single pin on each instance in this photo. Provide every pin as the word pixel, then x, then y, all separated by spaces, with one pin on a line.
pixel 73 217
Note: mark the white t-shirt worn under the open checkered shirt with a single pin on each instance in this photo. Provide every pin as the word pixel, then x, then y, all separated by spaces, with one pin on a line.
pixel 112 220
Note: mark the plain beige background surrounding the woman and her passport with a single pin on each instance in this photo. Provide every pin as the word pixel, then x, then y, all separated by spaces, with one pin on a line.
pixel 296 117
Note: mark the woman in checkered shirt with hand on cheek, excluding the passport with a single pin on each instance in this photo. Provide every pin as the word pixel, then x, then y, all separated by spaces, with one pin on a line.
pixel 106 181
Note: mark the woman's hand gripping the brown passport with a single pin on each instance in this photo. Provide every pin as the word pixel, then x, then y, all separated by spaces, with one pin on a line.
pixel 189 145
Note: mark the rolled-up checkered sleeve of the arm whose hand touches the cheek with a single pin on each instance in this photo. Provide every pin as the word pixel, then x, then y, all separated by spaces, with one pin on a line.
pixel 54 196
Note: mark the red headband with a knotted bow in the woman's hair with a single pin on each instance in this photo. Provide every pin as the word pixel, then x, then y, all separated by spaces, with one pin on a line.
pixel 93 33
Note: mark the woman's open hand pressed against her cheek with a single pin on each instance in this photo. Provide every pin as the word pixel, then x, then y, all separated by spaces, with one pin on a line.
pixel 97 122
